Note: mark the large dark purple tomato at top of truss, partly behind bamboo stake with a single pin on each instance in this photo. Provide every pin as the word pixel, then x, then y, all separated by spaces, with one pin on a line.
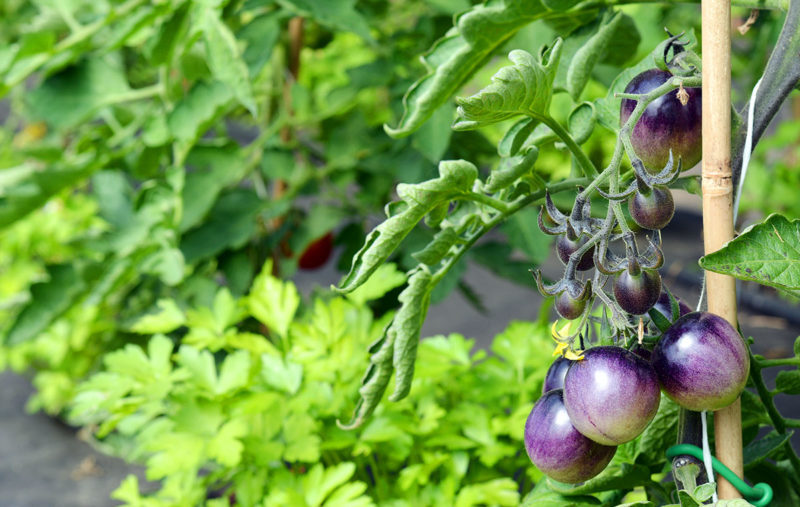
pixel 665 124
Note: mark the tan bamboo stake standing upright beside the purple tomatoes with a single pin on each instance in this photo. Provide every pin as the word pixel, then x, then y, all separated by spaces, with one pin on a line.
pixel 718 206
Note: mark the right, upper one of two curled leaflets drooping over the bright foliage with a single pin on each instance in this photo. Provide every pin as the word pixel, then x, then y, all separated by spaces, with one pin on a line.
pixel 405 328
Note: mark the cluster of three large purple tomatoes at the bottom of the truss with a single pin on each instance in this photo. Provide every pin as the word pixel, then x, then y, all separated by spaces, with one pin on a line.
pixel 607 398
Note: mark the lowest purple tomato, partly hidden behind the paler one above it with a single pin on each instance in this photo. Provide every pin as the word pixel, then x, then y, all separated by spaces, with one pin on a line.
pixel 557 448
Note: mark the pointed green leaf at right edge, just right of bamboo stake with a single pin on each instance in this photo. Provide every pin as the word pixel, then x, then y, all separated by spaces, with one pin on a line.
pixel 767 253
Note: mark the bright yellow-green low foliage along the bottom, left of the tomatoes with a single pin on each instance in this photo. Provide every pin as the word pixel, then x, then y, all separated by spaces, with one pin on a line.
pixel 262 419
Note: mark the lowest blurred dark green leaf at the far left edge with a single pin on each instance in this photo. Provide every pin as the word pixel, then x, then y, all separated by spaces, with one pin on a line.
pixel 49 300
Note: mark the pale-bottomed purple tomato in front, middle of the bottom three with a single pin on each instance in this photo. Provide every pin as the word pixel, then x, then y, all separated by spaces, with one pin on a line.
pixel 611 395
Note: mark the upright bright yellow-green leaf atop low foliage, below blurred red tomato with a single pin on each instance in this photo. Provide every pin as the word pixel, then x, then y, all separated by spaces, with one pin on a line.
pixel 273 301
